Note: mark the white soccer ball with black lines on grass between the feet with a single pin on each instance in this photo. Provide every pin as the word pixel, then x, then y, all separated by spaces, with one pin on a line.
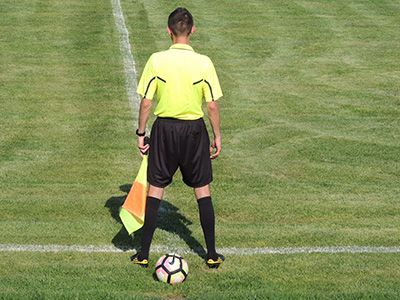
pixel 172 268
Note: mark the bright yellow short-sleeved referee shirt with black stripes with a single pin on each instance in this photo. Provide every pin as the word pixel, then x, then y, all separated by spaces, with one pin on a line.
pixel 181 78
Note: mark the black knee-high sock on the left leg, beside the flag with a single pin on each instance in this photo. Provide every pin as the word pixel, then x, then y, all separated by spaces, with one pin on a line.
pixel 150 224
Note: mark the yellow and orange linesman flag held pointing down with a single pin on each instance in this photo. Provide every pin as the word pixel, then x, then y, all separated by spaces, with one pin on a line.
pixel 132 211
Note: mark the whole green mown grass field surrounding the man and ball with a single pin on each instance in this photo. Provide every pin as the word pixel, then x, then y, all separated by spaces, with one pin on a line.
pixel 311 149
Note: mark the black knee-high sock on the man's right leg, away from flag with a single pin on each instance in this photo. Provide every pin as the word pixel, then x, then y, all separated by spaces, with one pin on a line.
pixel 207 220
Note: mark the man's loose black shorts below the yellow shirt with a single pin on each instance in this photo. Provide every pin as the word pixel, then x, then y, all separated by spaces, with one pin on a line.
pixel 179 143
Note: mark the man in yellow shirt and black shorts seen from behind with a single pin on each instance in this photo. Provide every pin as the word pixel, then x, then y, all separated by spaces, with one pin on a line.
pixel 179 137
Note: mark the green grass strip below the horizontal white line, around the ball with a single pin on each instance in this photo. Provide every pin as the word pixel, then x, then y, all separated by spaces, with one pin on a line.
pixel 96 276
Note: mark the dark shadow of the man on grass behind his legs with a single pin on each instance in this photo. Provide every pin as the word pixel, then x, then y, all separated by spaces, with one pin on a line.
pixel 168 219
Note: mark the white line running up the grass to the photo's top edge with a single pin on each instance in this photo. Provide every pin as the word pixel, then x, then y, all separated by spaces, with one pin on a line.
pixel 129 62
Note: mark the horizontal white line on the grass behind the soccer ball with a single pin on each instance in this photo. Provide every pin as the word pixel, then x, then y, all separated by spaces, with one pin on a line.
pixel 184 250
